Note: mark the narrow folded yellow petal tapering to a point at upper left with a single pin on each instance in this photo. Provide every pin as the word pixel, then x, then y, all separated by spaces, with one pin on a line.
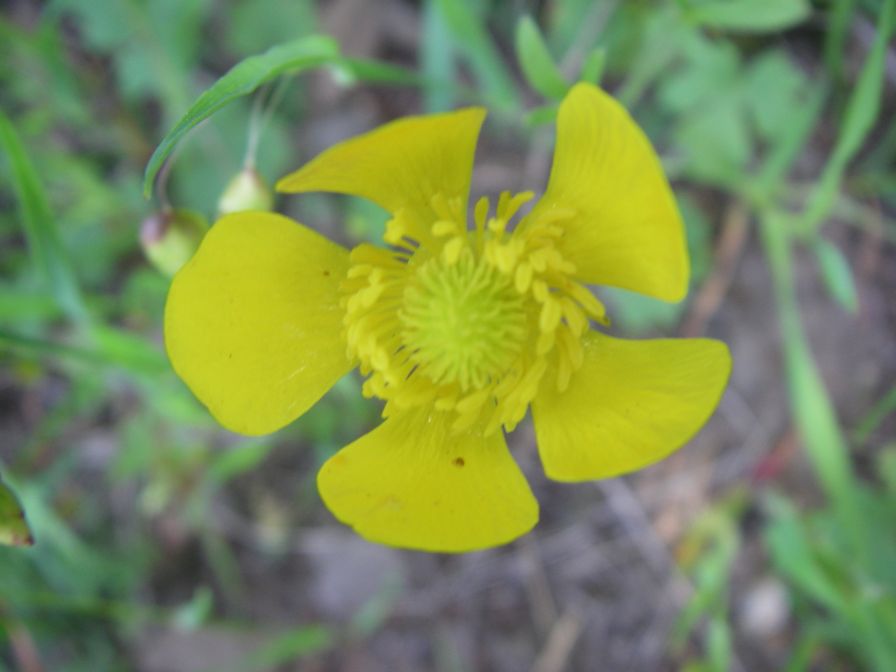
pixel 400 166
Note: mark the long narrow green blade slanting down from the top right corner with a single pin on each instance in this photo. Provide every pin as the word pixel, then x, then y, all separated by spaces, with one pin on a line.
pixel 861 112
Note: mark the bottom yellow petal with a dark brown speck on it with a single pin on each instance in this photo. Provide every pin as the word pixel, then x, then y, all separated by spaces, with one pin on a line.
pixel 412 483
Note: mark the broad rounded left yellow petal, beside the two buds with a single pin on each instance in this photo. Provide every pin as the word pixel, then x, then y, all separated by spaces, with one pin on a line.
pixel 253 322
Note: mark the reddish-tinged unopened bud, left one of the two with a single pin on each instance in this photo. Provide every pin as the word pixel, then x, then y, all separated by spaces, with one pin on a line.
pixel 171 237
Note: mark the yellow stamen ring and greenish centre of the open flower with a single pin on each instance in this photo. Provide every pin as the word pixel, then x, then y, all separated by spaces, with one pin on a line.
pixel 467 320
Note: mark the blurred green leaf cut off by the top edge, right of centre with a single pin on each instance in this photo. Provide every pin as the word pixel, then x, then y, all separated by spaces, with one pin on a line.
pixel 753 16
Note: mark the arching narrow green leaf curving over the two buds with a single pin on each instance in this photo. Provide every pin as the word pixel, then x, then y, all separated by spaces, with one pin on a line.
pixel 241 80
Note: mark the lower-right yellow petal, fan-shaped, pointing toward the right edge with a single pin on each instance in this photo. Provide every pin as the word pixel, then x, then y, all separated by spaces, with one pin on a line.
pixel 631 404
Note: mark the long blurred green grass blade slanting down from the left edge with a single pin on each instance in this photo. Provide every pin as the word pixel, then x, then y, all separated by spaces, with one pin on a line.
pixel 40 226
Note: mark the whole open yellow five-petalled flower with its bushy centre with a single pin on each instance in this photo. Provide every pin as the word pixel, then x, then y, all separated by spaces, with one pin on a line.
pixel 459 329
